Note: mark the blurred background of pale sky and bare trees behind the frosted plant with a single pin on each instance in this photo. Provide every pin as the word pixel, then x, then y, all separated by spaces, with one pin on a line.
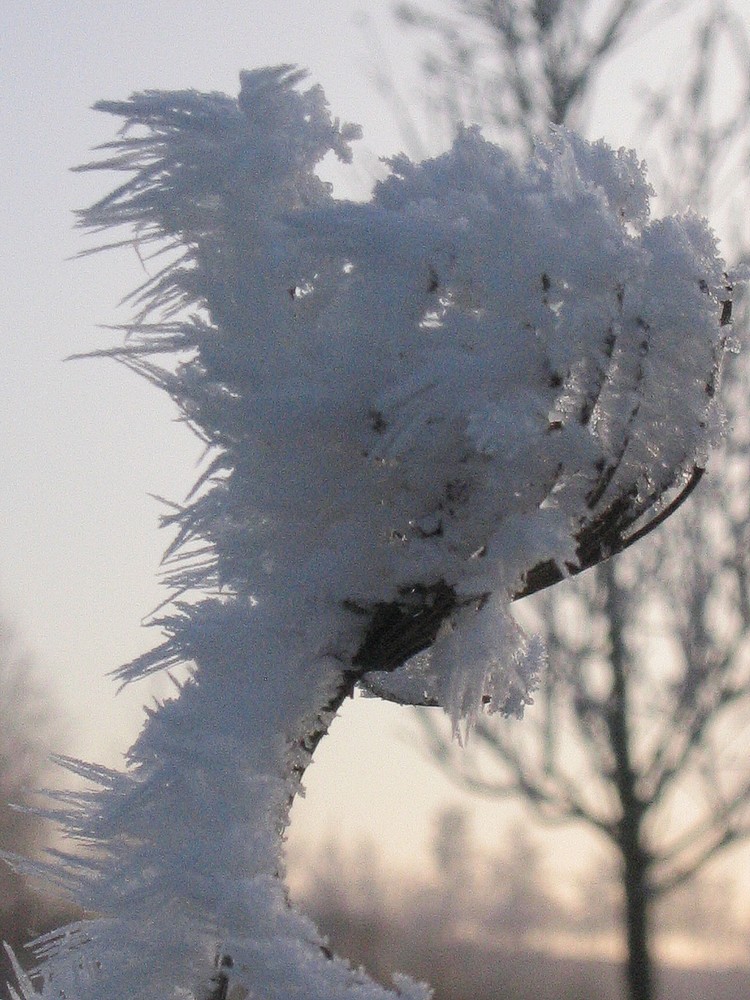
pixel 597 848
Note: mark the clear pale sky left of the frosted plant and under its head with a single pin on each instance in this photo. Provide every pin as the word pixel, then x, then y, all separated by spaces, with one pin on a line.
pixel 85 444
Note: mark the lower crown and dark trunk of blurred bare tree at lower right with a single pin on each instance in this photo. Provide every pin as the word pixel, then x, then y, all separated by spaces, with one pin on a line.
pixel 637 729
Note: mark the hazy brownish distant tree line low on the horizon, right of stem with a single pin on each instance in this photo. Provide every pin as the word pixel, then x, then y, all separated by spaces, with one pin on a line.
pixel 494 924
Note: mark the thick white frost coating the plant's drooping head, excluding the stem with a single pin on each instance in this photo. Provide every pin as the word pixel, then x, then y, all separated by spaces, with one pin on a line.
pixel 431 386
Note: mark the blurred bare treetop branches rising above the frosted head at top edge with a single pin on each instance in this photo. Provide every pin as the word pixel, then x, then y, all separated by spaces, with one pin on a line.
pixel 521 64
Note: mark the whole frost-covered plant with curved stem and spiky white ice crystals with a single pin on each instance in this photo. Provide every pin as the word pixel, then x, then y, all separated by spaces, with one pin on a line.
pixel 418 407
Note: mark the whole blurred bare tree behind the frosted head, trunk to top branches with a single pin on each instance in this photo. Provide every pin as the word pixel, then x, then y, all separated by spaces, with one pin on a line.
pixel 637 726
